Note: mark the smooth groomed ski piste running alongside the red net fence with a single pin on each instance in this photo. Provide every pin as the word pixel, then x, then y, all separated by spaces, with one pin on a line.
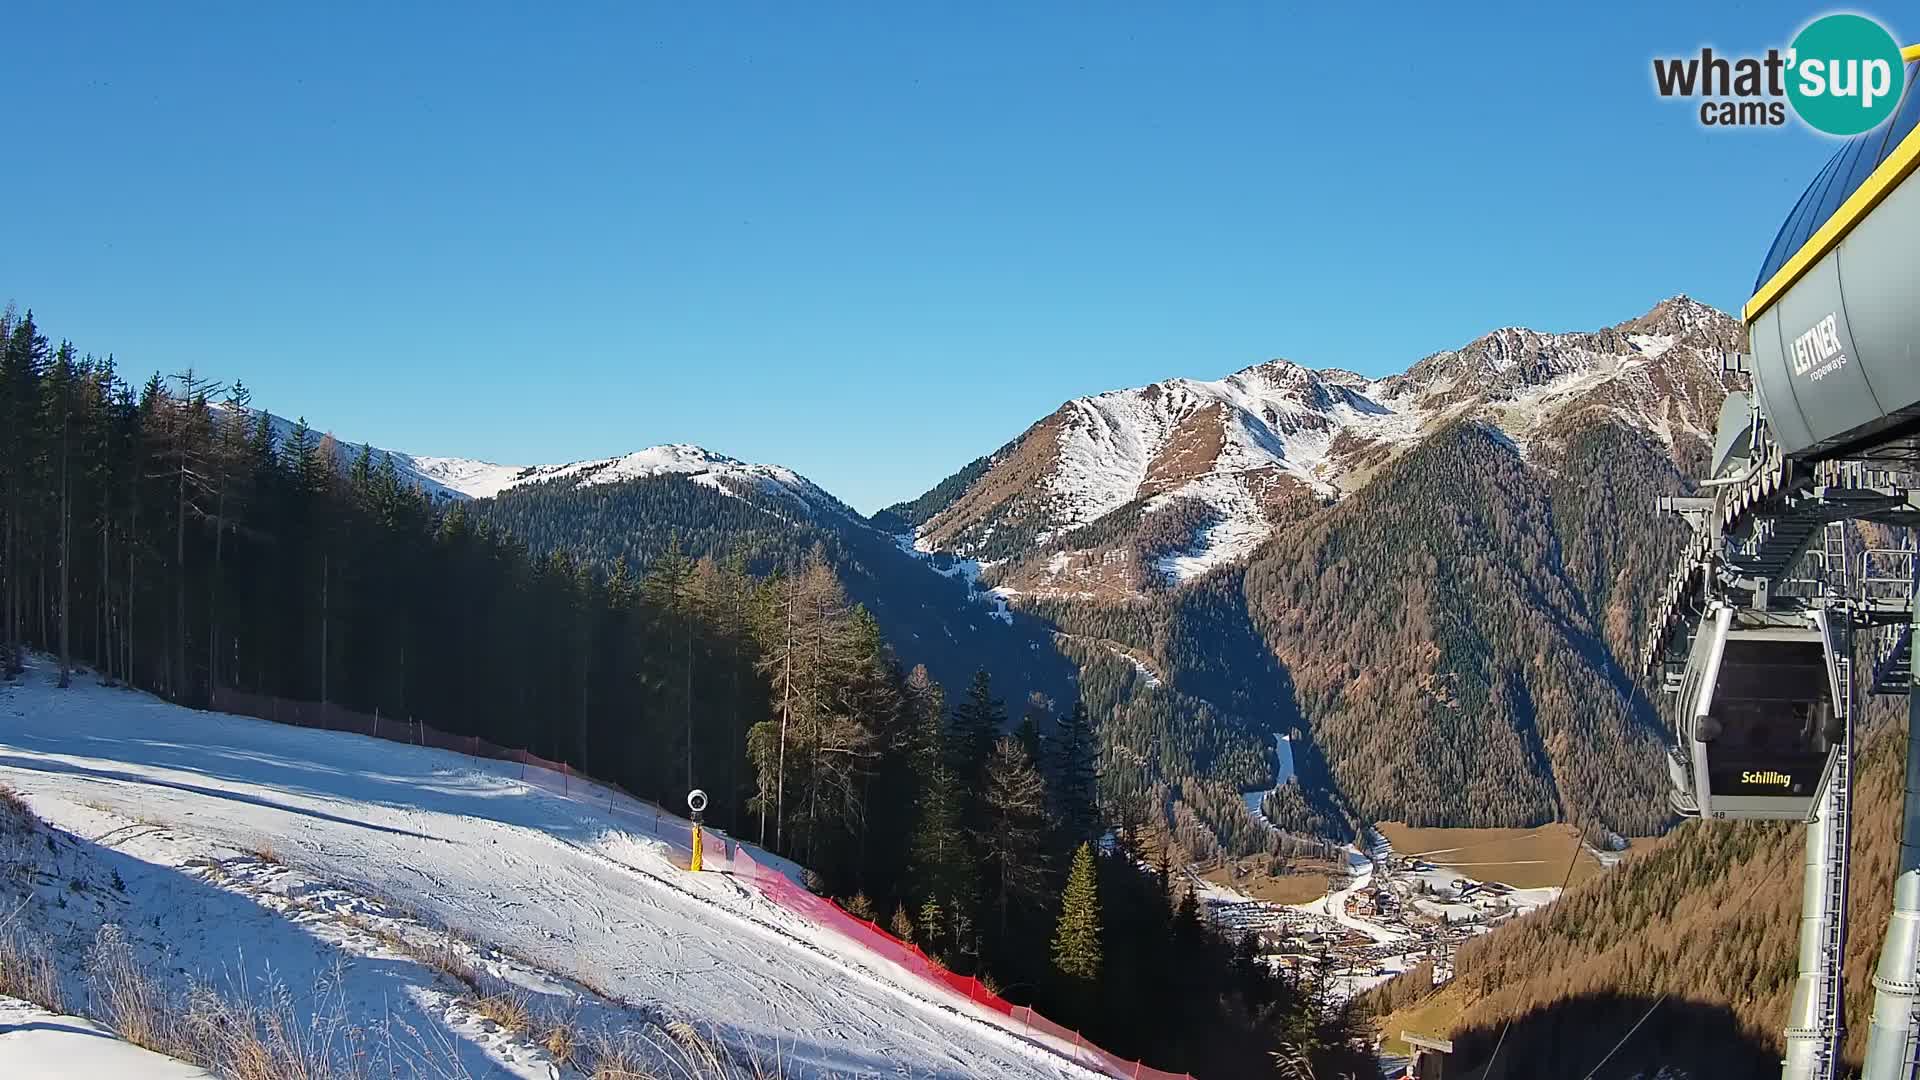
pixel 558 885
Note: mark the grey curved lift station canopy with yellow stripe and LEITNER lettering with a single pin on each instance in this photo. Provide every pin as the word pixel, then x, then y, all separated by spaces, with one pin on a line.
pixel 1835 316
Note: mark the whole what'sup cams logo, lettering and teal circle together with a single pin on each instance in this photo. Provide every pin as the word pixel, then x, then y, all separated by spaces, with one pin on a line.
pixel 1842 76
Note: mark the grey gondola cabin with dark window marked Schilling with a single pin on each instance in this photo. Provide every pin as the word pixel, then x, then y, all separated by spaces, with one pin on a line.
pixel 1754 718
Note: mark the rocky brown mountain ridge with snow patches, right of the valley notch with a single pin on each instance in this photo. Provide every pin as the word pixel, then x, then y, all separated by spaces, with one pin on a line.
pixel 1266 435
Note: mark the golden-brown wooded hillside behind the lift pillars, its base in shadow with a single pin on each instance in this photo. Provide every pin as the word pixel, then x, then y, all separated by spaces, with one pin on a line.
pixel 1706 925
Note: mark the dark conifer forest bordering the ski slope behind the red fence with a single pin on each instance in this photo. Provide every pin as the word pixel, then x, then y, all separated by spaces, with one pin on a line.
pixel 162 535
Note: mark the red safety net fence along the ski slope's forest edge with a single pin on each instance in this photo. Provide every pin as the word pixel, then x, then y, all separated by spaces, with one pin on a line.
pixel 782 889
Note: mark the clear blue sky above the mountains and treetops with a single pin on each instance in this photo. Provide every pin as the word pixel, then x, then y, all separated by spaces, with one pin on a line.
pixel 863 241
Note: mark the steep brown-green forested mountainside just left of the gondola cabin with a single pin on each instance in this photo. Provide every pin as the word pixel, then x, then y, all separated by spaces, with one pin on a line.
pixel 1441 599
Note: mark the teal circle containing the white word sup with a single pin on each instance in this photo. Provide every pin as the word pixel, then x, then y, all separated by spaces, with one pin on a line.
pixel 1846 74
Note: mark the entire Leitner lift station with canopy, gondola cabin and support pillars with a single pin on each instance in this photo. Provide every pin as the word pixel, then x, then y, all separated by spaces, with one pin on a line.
pixel 1775 595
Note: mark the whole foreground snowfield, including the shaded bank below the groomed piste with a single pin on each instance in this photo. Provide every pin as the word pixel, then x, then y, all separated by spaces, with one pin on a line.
pixel 245 852
